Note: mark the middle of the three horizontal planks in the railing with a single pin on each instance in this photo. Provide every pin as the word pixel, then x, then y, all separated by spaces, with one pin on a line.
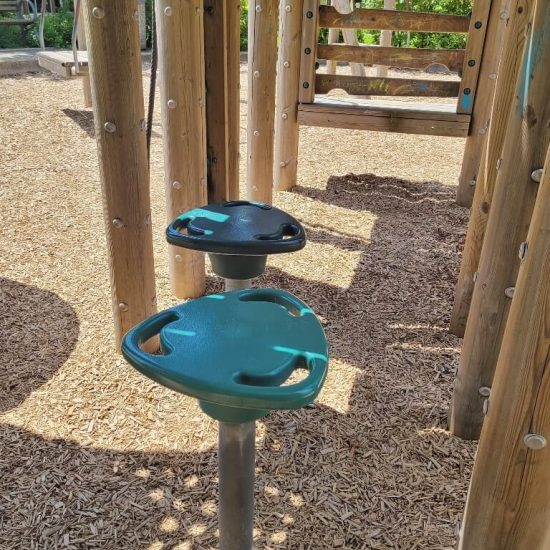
pixel 410 58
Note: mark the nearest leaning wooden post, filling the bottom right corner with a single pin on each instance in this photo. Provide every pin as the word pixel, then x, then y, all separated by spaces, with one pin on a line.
pixel 508 502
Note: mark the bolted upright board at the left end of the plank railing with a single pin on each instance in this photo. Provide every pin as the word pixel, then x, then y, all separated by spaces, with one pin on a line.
pixel 310 34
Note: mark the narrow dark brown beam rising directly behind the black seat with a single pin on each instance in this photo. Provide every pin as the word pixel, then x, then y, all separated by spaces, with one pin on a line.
pixel 217 128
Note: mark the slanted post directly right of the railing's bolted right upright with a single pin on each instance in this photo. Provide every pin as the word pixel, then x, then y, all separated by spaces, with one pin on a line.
pixel 483 101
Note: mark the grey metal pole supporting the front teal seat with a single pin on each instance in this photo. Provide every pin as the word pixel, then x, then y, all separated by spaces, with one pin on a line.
pixel 236 459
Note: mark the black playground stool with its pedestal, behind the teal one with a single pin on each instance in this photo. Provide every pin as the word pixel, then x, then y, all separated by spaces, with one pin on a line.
pixel 238 236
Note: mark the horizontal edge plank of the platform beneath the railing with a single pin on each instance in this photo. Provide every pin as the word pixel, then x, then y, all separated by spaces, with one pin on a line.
pixel 381 121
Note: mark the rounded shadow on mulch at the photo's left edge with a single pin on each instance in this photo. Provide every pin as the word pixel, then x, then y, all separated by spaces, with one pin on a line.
pixel 38 332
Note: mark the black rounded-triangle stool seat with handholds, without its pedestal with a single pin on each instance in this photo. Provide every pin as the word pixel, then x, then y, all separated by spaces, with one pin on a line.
pixel 237 227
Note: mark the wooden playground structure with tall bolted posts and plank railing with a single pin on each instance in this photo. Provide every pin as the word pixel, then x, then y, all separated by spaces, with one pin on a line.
pixel 502 392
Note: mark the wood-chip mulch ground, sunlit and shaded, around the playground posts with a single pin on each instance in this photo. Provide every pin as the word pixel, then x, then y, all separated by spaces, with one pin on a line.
pixel 96 456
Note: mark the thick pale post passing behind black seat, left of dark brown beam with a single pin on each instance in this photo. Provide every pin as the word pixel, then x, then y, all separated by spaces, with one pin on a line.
pixel 181 71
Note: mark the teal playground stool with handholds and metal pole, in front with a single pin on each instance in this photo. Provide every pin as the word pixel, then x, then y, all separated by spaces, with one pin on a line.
pixel 234 352
